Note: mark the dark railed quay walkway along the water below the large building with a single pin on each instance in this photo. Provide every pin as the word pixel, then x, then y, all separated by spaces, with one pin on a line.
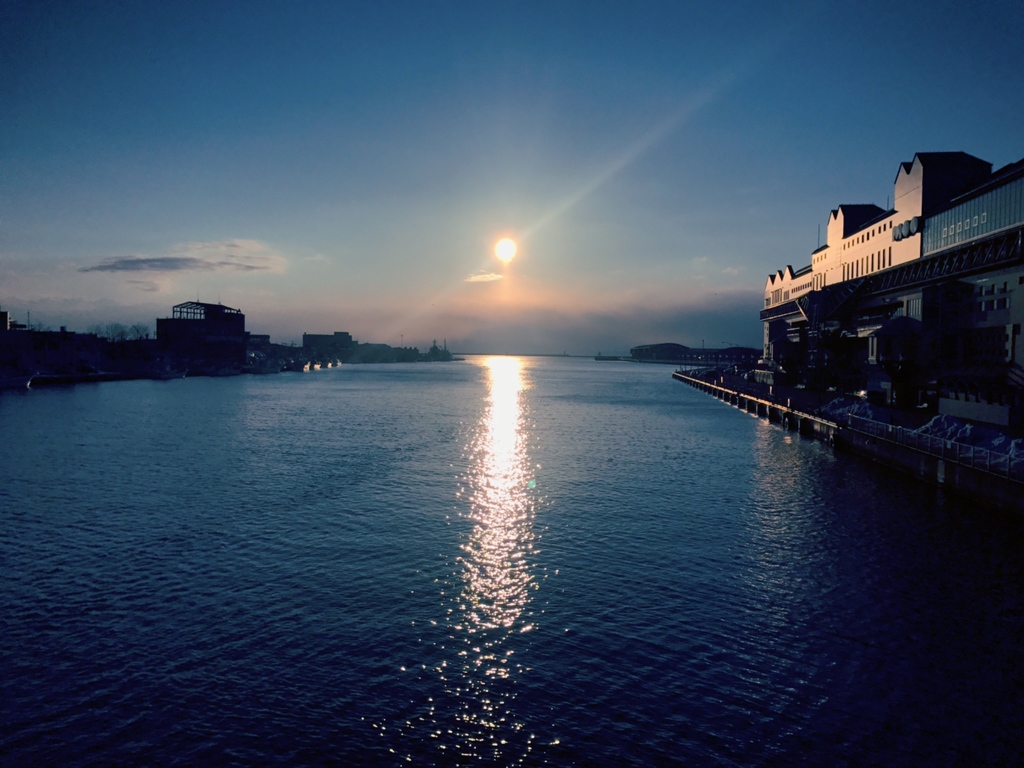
pixel 987 478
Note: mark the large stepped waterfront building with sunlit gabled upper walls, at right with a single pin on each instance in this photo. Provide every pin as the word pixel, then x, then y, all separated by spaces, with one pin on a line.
pixel 921 305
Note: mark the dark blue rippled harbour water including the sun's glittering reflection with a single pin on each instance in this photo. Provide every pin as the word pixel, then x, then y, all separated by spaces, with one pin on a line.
pixel 498 563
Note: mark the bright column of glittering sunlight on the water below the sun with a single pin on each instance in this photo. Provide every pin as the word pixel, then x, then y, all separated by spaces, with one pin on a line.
pixel 495 575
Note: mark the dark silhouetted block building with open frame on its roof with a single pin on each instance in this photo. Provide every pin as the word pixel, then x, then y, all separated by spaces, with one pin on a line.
pixel 209 338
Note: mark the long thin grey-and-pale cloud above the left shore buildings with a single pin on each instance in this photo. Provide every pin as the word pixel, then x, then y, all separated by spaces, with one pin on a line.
pixel 216 257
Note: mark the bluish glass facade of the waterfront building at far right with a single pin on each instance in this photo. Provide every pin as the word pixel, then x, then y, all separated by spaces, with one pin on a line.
pixel 997 209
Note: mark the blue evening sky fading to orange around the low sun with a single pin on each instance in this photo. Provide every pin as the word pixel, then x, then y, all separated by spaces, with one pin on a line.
pixel 350 166
